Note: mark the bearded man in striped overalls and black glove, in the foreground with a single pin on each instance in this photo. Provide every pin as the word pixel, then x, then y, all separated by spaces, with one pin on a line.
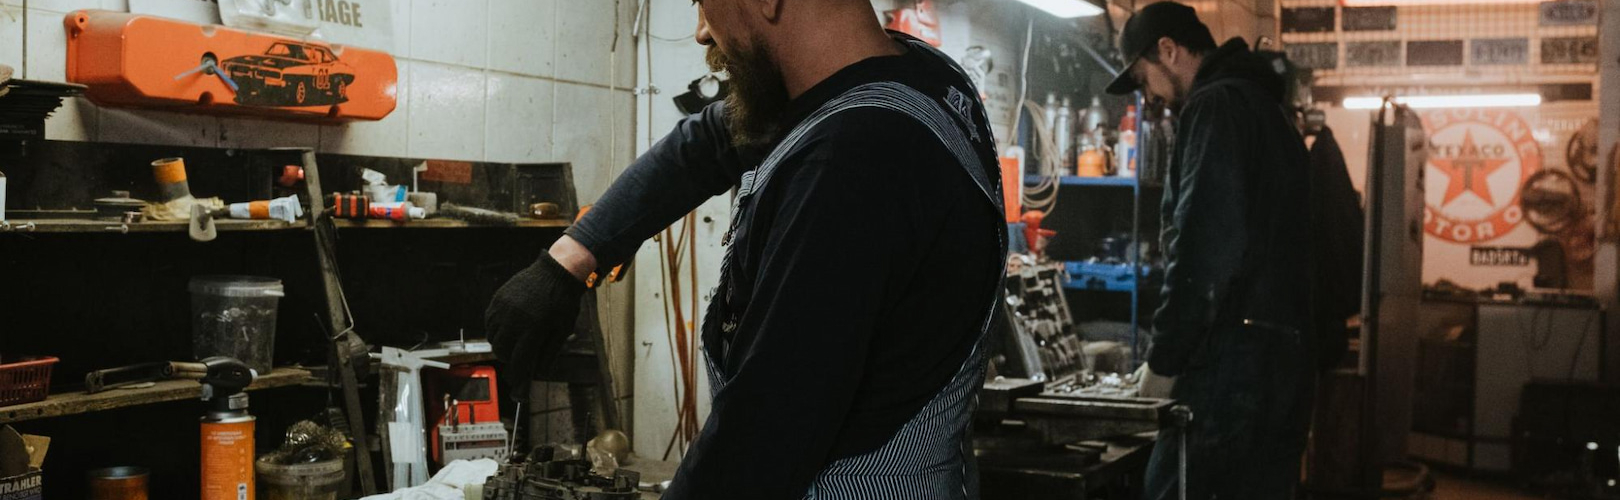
pixel 863 265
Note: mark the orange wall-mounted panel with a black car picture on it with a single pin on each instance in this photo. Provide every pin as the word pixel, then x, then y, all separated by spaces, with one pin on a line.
pixel 155 62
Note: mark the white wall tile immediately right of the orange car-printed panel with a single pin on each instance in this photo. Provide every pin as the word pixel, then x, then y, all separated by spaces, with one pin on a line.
pixel 446 112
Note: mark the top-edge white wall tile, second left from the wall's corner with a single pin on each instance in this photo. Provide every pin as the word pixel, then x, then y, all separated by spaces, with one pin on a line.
pixel 522 36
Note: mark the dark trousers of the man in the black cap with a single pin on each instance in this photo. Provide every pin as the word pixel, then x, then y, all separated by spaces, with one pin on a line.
pixel 1250 391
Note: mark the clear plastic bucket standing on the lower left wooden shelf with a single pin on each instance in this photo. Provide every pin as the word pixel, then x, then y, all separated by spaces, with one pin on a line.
pixel 236 316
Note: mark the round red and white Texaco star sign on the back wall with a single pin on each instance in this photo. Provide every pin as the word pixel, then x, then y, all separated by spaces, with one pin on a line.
pixel 1483 158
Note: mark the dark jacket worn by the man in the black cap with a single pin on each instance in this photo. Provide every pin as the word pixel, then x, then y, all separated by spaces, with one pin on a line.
pixel 1237 213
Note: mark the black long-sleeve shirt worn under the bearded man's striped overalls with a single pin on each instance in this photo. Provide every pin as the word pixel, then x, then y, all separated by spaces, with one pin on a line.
pixel 864 278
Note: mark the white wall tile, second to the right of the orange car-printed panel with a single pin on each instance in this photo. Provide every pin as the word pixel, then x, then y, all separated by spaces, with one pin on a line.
pixel 518 124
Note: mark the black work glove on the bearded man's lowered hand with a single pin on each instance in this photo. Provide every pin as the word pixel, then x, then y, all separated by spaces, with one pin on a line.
pixel 531 318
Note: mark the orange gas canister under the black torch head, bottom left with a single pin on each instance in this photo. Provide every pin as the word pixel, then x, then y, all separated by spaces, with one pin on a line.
pixel 228 451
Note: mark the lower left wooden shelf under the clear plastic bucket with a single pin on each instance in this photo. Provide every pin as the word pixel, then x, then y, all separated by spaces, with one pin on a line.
pixel 161 392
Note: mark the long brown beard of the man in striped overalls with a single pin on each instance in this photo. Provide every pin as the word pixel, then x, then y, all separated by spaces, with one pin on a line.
pixel 759 98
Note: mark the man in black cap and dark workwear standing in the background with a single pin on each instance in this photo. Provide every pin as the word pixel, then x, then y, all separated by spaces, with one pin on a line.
pixel 1235 307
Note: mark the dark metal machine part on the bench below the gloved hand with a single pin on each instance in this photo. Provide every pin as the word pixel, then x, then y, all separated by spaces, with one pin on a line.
pixel 542 478
